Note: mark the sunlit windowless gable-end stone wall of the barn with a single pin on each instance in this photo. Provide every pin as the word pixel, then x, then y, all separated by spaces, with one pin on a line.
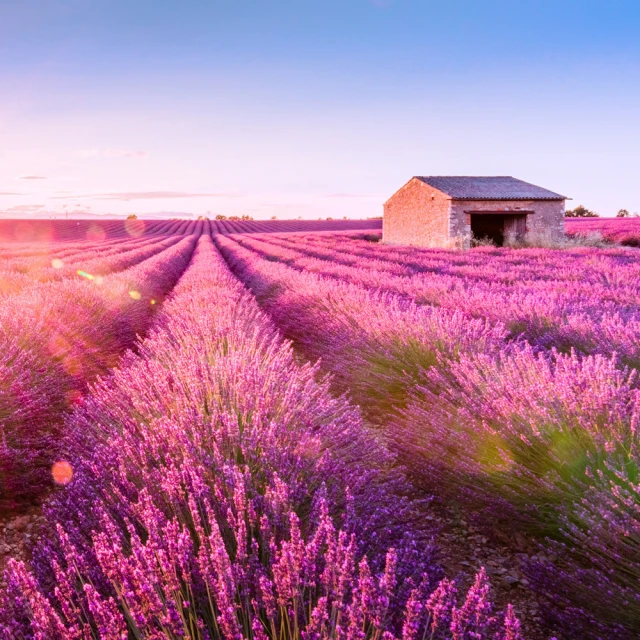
pixel 417 215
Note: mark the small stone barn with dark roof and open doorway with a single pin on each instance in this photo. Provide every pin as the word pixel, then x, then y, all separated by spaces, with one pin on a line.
pixel 445 211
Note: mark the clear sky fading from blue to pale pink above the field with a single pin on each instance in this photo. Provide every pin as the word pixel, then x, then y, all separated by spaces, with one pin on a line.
pixel 311 108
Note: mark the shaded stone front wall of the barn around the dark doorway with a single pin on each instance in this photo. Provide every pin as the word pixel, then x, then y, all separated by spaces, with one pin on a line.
pixel 547 216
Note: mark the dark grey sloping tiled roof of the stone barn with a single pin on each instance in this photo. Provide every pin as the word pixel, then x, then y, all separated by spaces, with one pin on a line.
pixel 489 188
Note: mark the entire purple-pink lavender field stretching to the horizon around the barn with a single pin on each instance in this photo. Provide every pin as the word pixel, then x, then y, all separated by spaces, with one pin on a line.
pixel 257 430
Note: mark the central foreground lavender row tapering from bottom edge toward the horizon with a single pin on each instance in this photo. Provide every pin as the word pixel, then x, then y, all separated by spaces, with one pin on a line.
pixel 210 501
